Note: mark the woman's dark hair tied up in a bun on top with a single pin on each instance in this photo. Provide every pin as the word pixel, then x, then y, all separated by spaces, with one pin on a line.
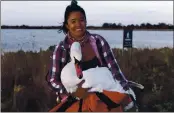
pixel 71 8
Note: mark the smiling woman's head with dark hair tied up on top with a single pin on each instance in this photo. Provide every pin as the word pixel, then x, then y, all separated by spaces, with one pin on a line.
pixel 74 22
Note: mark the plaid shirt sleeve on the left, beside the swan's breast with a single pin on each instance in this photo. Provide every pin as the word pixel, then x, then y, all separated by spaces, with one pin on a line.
pixel 53 77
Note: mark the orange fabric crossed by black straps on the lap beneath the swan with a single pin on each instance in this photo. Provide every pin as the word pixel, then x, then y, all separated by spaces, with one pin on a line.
pixel 92 103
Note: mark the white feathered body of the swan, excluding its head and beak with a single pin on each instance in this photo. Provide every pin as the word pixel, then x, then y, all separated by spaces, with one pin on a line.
pixel 99 78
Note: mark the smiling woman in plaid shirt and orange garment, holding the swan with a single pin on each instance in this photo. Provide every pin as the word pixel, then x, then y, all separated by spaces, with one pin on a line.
pixel 96 52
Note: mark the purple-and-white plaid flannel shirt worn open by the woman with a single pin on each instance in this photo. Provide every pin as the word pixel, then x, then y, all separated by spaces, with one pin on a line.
pixel 60 58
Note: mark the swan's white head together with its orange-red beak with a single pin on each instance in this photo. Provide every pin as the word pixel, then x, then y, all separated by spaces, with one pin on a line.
pixel 76 57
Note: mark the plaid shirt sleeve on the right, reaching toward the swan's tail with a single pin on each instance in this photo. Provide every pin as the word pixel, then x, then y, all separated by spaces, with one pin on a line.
pixel 111 61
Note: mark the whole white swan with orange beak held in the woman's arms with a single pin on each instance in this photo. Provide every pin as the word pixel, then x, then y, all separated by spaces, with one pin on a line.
pixel 99 78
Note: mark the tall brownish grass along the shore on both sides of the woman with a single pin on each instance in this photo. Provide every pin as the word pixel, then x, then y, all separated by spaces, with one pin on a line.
pixel 24 87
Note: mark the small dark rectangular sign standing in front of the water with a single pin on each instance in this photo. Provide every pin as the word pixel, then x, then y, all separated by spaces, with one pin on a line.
pixel 127 38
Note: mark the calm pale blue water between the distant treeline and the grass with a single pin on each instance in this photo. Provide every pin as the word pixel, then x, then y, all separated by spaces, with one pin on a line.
pixel 34 39
